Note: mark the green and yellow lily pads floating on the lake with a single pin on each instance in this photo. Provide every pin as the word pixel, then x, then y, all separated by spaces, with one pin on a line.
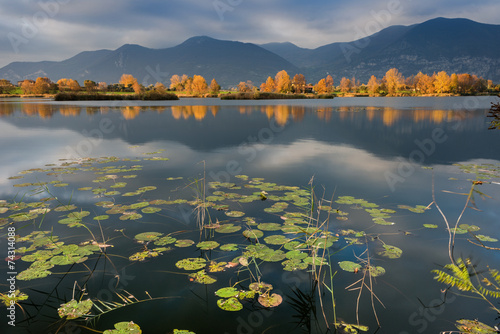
pixel 285 232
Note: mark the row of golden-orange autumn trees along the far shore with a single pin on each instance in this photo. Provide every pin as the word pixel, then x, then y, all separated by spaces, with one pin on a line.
pixel 281 86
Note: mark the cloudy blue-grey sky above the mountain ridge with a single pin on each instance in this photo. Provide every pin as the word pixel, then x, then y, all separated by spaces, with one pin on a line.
pixel 58 29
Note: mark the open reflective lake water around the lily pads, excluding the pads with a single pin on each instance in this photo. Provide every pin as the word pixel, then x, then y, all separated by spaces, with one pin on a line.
pixel 369 148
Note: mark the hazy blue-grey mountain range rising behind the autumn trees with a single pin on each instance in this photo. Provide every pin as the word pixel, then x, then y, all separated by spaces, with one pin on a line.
pixel 451 45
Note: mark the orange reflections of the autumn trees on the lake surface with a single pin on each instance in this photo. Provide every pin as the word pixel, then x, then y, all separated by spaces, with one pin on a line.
pixel 280 113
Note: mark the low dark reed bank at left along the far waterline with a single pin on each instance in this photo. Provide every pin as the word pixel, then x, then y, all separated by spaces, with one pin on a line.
pixel 147 96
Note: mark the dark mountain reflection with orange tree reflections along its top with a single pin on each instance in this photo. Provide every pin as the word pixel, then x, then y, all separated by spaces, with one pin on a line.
pixel 384 132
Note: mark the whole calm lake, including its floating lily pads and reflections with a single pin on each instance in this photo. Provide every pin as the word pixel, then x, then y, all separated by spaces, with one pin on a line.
pixel 151 208
